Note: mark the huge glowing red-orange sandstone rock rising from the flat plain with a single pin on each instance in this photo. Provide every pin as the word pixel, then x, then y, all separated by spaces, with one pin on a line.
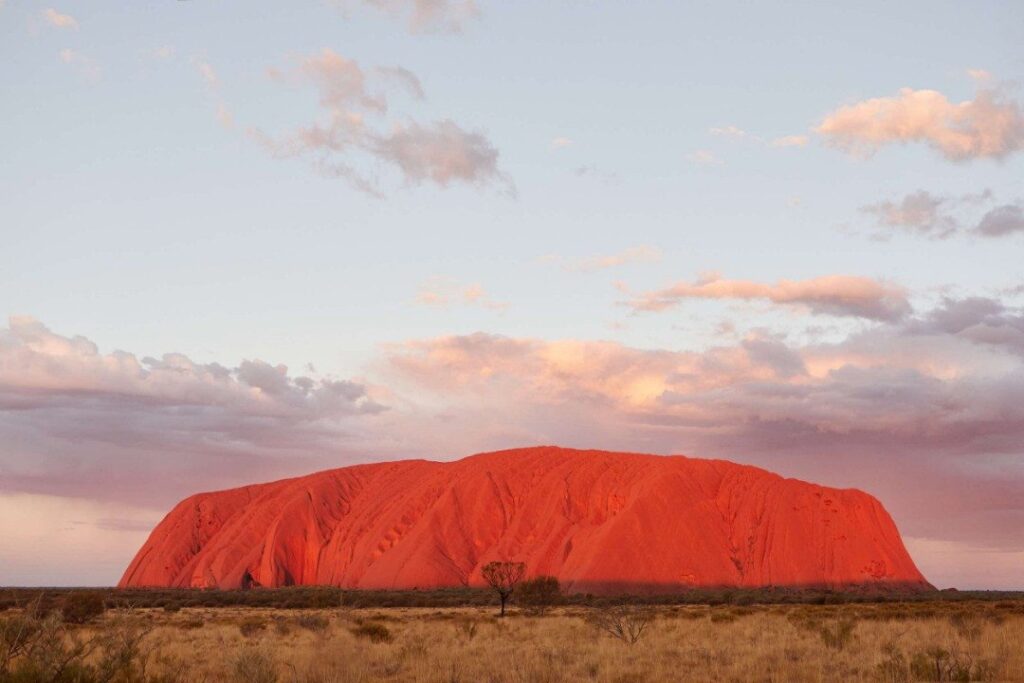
pixel 600 522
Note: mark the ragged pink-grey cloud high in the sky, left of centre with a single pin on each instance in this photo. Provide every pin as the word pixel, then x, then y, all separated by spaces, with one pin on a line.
pixel 350 137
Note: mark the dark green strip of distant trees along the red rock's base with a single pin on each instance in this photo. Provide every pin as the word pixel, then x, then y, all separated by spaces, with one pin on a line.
pixel 328 597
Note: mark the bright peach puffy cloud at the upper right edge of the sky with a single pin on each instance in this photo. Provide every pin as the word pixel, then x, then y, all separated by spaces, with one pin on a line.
pixel 991 126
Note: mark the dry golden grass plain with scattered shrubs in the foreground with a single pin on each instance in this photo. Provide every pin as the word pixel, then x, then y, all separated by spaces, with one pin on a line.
pixel 937 641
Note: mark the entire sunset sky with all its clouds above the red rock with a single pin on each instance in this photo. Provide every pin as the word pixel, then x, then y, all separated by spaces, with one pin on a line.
pixel 247 241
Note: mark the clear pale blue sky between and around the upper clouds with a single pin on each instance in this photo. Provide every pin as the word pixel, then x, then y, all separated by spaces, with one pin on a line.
pixel 133 218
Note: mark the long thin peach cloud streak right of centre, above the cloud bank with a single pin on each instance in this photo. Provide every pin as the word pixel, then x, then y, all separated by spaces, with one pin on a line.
pixel 832 295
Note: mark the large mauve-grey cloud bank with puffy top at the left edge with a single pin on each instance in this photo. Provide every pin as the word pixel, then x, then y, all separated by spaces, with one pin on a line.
pixel 79 422
